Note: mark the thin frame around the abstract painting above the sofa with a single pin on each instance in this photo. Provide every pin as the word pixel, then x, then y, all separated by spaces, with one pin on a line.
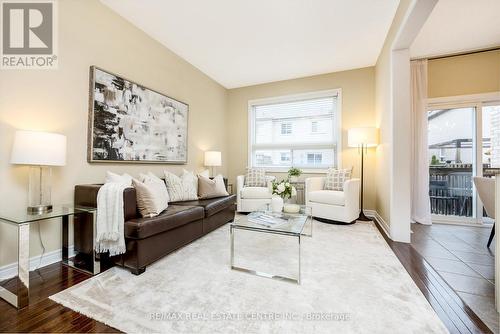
pixel 91 122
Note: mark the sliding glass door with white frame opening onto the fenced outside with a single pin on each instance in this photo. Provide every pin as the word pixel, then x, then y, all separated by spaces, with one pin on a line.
pixel 464 141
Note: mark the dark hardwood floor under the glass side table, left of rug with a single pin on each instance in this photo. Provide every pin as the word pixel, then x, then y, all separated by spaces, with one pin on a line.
pixel 44 315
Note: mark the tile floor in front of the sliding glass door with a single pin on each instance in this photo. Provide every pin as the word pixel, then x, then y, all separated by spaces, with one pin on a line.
pixel 459 254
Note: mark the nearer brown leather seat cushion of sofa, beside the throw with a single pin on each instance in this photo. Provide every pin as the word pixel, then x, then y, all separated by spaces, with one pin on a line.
pixel 173 217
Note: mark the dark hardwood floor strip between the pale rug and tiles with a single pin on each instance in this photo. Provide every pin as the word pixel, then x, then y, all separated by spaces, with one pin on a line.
pixel 455 314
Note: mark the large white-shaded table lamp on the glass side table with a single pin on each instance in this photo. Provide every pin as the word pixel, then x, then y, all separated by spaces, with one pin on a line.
pixel 40 151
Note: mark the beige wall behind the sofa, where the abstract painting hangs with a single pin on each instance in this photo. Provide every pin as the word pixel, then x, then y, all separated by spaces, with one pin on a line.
pixel 91 34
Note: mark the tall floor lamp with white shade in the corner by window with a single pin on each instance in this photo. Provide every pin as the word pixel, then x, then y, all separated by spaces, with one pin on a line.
pixel 362 138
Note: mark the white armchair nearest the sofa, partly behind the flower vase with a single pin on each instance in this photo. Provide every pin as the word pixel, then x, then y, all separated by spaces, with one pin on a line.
pixel 250 199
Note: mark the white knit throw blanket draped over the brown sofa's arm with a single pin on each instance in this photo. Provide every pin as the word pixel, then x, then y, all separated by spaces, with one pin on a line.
pixel 110 220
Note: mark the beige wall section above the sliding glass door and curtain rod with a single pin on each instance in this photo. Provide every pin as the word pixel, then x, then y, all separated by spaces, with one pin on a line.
pixel 463 75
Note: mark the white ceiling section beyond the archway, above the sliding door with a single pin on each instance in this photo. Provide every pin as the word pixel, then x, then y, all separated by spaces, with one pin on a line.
pixel 459 25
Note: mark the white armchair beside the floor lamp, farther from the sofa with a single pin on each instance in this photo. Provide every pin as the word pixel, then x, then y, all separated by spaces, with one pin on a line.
pixel 336 206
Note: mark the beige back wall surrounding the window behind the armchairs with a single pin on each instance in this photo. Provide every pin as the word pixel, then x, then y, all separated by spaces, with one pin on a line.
pixel 357 110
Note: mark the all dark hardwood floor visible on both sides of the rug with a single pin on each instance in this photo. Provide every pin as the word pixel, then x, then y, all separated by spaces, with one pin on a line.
pixel 44 315
